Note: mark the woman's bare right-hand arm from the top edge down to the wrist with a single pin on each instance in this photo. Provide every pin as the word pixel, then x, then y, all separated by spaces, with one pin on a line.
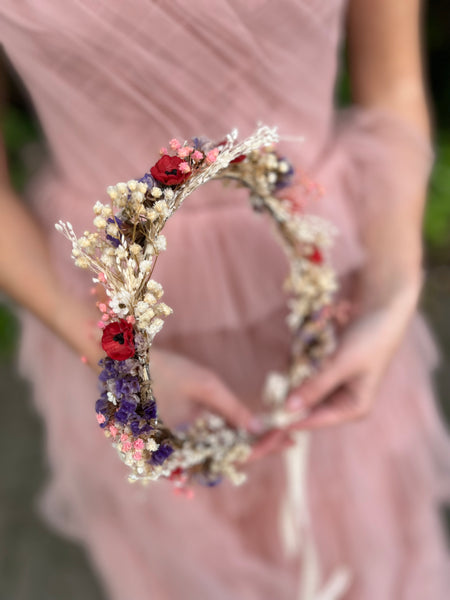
pixel 386 74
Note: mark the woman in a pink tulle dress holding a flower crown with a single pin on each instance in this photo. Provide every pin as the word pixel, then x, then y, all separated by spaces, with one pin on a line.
pixel 111 85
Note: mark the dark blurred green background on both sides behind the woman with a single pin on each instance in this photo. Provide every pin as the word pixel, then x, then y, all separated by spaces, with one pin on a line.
pixel 39 564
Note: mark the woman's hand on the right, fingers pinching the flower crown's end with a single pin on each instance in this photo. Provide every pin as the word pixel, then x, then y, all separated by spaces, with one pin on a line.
pixel 346 388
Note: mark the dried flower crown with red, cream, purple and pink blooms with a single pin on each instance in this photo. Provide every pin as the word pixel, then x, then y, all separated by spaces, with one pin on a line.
pixel 123 251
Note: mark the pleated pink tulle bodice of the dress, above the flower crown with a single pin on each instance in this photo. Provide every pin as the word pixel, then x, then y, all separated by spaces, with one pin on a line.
pixel 112 81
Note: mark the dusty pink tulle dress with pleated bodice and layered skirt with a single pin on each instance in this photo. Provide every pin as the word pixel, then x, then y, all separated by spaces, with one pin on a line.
pixel 112 81
